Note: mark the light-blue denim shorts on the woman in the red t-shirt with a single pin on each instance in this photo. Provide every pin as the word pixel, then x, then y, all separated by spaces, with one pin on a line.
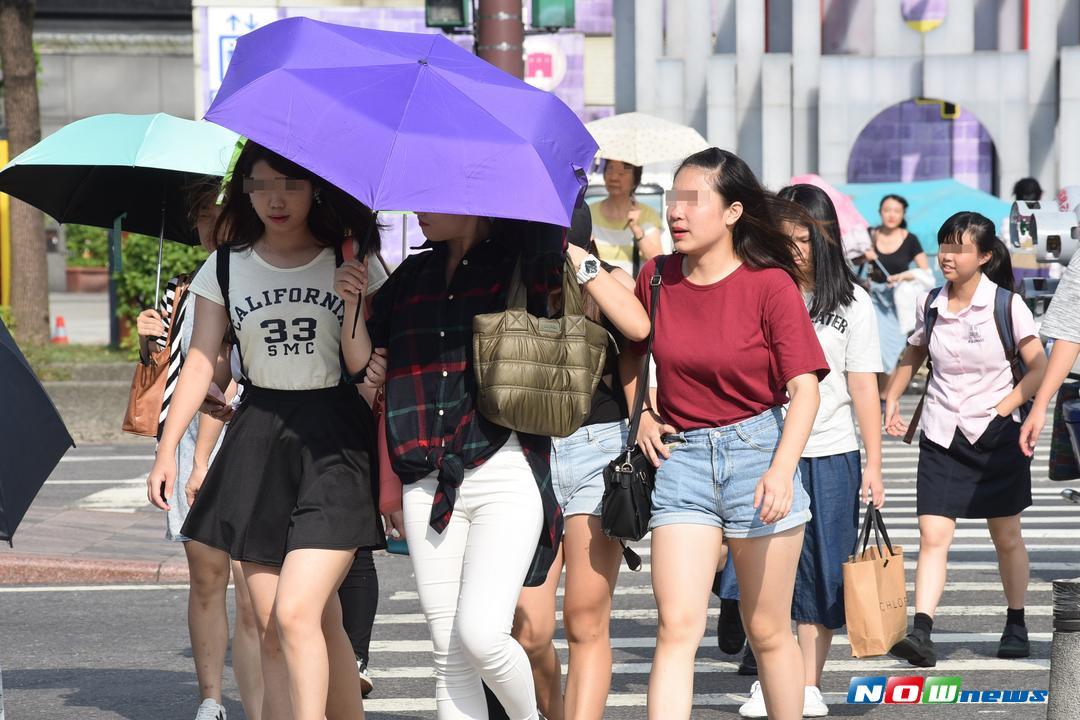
pixel 712 476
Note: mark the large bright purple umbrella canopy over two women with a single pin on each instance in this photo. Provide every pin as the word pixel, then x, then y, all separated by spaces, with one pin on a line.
pixel 406 121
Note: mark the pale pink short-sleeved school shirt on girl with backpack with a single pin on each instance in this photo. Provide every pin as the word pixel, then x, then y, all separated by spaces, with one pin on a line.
pixel 971 374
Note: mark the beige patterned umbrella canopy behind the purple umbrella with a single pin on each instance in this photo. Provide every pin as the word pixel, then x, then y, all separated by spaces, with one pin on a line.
pixel 640 140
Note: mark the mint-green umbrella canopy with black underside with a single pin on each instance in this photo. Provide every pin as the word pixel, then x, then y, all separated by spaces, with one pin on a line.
pixel 96 170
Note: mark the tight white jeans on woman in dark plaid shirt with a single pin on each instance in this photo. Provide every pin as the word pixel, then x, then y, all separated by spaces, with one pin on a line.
pixel 469 579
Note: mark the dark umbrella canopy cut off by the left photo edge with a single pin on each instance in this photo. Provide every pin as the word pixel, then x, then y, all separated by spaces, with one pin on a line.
pixel 33 437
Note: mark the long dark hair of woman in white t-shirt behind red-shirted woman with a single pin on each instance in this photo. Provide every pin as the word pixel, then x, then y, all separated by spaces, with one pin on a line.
pixel 833 278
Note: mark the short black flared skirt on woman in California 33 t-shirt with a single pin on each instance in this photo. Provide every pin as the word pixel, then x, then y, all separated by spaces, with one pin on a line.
pixel 296 470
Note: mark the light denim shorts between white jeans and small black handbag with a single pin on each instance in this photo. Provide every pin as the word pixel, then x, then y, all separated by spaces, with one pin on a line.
pixel 578 464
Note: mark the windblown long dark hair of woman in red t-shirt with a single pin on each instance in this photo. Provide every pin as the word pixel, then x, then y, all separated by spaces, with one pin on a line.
pixel 759 237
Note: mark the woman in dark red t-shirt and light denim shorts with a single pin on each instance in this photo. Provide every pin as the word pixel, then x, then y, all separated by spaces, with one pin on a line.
pixel 734 344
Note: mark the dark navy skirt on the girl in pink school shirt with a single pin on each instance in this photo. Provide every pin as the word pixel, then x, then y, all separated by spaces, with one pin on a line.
pixel 989 479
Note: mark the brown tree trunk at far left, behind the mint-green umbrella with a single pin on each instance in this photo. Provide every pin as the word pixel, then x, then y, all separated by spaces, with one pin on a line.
pixel 30 298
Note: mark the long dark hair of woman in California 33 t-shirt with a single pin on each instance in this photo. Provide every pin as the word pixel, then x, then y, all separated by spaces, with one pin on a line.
pixel 335 216
